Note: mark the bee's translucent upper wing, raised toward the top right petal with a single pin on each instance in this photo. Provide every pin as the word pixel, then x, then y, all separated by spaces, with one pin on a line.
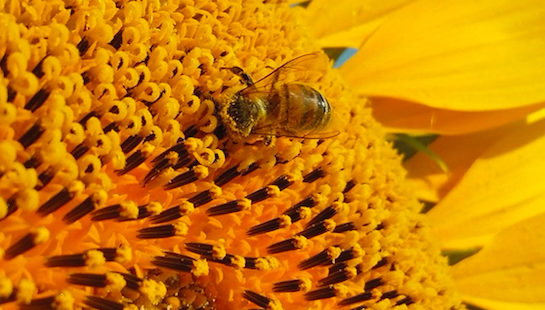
pixel 285 73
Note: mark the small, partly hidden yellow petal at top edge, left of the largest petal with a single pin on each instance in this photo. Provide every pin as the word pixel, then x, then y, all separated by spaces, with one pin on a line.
pixel 347 23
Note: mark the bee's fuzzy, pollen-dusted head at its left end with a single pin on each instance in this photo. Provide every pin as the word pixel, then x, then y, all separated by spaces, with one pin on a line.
pixel 240 115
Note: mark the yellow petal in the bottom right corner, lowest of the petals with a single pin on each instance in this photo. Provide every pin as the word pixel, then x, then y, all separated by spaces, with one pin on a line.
pixel 510 269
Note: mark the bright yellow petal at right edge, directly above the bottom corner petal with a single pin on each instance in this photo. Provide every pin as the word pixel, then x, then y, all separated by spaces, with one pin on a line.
pixel 503 186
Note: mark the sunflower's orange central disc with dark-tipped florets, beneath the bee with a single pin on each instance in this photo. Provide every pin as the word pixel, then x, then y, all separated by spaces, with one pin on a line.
pixel 123 187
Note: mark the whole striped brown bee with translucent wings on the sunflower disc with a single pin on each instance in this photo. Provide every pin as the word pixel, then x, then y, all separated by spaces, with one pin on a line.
pixel 275 107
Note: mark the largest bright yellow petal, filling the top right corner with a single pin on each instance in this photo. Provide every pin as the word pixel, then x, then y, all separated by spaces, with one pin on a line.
pixel 457 55
